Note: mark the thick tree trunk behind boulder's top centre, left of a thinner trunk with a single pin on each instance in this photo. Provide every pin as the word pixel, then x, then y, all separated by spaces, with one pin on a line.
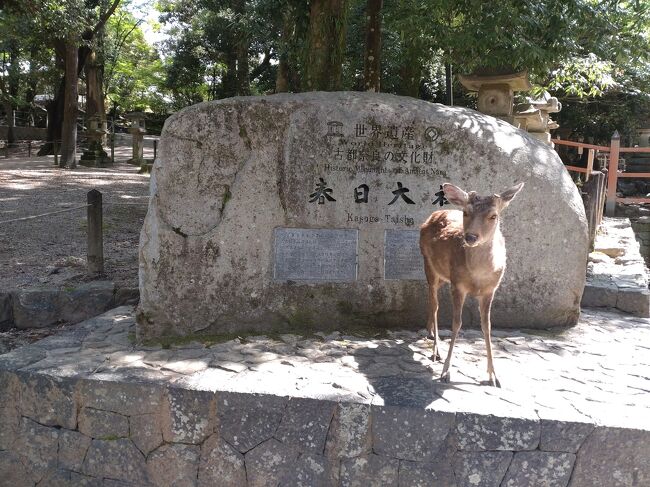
pixel 326 45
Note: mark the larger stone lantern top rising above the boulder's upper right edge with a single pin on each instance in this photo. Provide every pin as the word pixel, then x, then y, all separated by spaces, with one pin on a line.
pixel 496 93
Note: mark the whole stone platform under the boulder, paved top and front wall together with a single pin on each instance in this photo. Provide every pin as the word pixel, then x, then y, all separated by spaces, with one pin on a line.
pixel 87 407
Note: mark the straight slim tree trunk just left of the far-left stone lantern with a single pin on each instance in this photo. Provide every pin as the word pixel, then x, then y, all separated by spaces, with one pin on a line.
pixel 70 109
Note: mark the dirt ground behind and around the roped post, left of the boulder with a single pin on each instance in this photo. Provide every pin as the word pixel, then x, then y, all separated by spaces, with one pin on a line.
pixel 52 250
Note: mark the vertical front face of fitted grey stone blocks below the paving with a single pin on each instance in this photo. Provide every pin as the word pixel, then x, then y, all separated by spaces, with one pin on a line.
pixel 66 432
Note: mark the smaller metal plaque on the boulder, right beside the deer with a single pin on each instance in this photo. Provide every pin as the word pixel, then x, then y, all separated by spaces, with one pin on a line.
pixel 402 256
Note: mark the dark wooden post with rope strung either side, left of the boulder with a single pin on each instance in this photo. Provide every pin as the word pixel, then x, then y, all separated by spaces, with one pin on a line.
pixel 95 241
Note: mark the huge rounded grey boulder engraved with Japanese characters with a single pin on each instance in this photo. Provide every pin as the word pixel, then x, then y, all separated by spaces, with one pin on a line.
pixel 230 173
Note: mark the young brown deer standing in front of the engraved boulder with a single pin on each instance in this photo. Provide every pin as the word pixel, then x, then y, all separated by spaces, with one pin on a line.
pixel 467 249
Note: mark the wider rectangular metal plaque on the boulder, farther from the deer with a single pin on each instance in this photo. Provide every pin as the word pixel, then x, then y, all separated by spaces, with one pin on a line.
pixel 303 254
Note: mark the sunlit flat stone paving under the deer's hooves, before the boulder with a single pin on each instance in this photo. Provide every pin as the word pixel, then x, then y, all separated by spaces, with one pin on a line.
pixel 598 371
